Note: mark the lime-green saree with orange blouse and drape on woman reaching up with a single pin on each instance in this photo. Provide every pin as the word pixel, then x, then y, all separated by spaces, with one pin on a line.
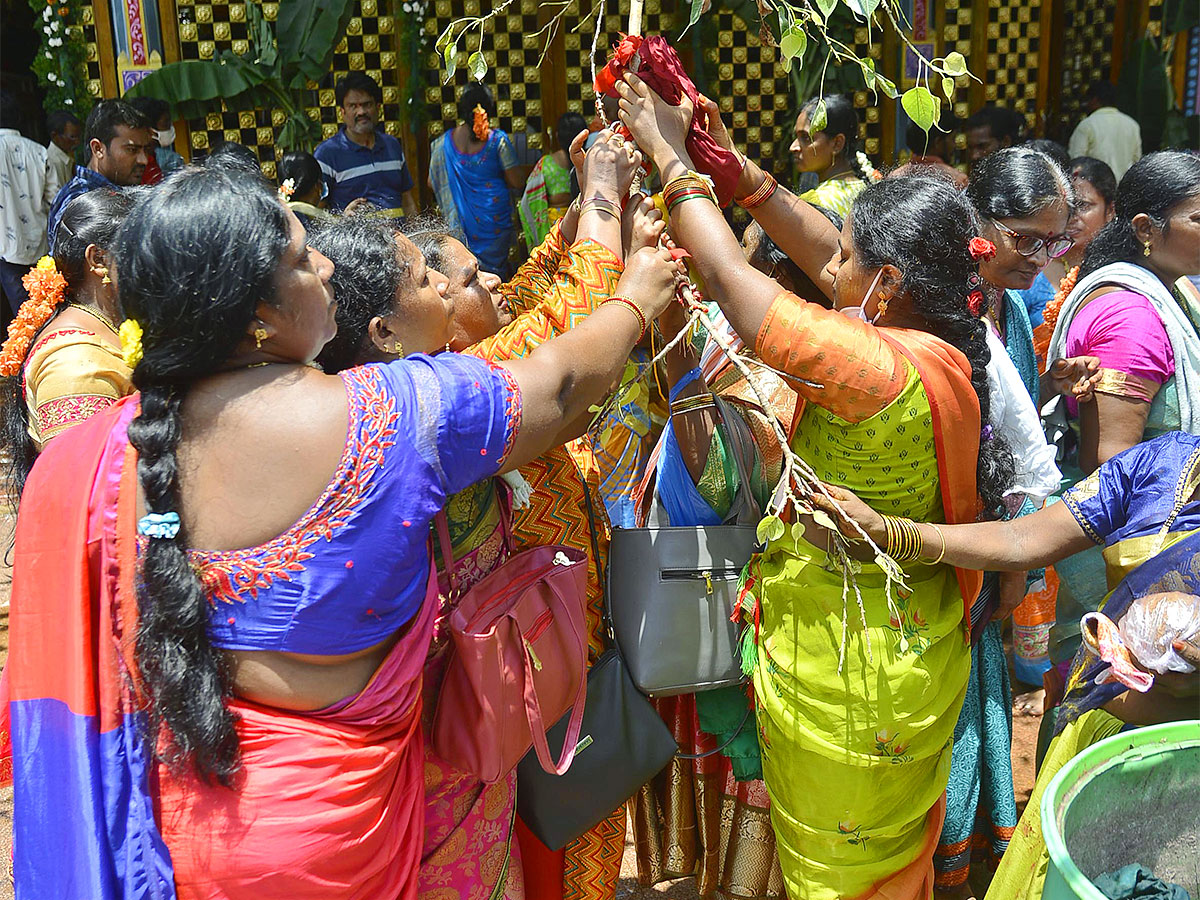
pixel 856 742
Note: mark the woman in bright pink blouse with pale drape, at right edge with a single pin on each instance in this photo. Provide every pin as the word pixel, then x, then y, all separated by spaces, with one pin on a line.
pixel 1136 310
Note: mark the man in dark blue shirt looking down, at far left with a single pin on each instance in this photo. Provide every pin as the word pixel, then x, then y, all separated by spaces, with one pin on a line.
pixel 121 143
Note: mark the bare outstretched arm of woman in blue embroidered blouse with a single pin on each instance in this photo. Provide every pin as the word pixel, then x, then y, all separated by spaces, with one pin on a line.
pixel 566 376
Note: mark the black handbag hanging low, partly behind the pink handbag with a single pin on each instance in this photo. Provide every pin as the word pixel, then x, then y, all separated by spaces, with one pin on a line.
pixel 623 745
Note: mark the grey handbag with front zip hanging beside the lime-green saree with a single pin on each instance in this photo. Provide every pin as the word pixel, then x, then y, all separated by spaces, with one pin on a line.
pixel 673 591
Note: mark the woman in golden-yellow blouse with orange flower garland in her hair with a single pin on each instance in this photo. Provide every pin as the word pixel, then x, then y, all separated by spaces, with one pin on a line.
pixel 63 357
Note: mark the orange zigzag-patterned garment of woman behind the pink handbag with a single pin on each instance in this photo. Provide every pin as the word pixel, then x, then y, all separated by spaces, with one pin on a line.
pixel 556 289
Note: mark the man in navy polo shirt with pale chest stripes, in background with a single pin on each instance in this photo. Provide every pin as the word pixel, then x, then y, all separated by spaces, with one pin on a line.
pixel 363 164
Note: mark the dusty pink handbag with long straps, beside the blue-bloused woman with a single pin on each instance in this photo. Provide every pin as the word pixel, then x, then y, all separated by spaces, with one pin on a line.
pixel 519 661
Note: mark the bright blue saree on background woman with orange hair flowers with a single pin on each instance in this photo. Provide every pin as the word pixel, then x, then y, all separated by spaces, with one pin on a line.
pixel 475 197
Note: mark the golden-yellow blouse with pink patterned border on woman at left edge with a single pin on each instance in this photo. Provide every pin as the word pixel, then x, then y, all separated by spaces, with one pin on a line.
pixel 71 375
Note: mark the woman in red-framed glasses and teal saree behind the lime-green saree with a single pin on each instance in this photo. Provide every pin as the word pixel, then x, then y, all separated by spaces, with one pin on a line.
pixel 1024 200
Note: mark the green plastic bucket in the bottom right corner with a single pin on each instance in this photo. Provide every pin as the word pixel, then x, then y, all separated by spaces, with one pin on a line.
pixel 1131 799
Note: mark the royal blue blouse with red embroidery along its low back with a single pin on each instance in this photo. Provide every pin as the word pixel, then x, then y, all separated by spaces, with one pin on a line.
pixel 355 568
